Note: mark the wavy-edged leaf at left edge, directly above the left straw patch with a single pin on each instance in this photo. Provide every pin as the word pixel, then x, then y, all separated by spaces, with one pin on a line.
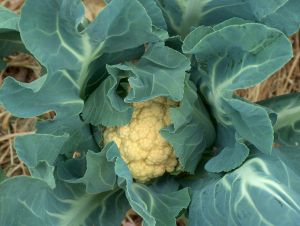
pixel 41 96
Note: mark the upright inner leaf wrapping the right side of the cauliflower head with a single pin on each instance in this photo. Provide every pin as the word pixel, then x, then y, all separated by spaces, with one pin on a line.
pixel 192 131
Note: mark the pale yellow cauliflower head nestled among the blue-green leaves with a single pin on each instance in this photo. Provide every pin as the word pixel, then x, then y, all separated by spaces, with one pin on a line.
pixel 144 150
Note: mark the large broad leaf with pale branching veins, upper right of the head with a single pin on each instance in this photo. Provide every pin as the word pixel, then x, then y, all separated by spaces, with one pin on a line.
pixel 234 57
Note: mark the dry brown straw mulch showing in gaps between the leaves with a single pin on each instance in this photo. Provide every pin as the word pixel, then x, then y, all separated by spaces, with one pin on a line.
pixel 23 68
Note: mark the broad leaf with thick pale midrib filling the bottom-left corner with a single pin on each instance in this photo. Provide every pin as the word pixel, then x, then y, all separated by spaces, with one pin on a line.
pixel 66 205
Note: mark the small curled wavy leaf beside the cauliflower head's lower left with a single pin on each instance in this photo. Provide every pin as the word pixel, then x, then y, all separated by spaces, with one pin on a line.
pixel 98 173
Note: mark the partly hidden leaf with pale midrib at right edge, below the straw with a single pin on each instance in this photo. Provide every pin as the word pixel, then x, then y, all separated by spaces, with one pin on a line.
pixel 287 127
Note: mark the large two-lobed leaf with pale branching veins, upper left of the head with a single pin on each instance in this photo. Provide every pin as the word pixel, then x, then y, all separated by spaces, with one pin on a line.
pixel 62 42
